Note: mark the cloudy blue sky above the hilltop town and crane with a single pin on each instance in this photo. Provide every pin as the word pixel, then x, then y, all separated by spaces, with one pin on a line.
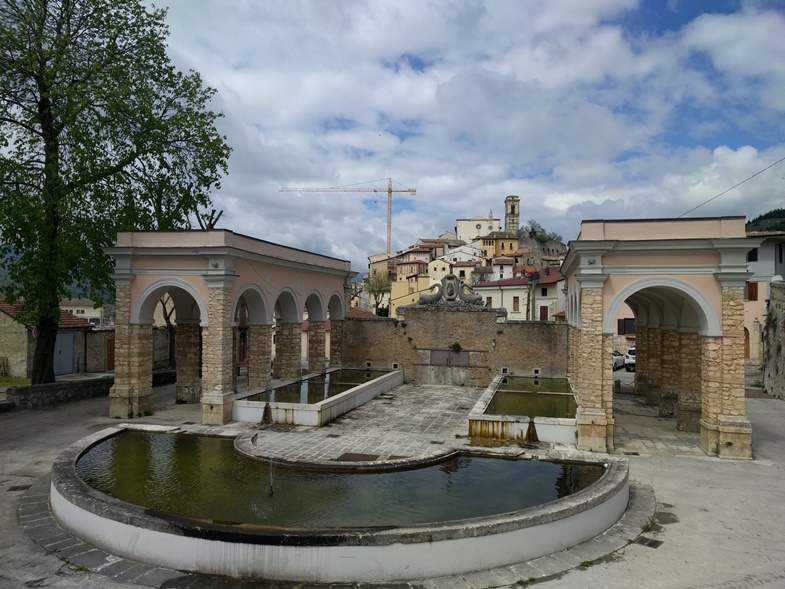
pixel 590 109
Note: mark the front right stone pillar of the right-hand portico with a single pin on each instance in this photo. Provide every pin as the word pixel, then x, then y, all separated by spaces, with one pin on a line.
pixel 735 430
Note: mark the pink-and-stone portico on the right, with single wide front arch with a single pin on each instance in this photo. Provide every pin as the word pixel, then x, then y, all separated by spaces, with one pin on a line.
pixel 684 280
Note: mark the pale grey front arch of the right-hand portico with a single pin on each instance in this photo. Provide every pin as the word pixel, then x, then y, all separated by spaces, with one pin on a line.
pixel 662 289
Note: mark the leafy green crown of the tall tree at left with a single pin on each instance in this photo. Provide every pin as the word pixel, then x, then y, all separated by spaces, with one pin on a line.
pixel 98 133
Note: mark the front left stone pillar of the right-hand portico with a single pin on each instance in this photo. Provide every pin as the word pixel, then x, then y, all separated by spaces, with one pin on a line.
pixel 591 418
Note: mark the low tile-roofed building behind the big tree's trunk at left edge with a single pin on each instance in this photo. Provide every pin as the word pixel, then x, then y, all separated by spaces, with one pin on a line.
pixel 17 343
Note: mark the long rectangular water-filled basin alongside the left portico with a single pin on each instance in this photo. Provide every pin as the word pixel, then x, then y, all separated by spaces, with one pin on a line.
pixel 317 400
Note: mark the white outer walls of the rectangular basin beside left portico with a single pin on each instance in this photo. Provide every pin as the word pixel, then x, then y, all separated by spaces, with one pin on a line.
pixel 314 414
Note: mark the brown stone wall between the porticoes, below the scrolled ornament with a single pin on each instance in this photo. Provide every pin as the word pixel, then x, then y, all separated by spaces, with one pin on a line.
pixel 523 348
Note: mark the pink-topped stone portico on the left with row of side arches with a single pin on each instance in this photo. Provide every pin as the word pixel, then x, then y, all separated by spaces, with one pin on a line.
pixel 213 278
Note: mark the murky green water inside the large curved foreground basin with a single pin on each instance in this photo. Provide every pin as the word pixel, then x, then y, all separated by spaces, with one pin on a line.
pixel 204 477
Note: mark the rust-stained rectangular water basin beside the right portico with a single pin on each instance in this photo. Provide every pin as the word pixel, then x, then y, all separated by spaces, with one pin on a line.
pixel 526 409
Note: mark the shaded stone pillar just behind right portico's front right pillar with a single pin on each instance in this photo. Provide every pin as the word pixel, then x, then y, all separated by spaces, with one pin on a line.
pixel 688 408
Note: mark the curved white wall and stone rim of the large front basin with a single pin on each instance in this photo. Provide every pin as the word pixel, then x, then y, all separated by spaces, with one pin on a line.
pixel 332 554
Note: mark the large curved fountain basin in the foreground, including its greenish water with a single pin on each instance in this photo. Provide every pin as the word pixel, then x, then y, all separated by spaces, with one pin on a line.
pixel 317 532
